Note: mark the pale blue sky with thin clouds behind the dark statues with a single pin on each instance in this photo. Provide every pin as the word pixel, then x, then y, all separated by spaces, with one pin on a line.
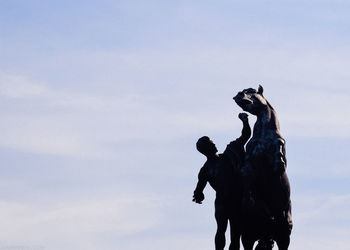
pixel 102 103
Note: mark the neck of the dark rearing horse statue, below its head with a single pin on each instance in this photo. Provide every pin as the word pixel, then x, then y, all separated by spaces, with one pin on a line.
pixel 266 121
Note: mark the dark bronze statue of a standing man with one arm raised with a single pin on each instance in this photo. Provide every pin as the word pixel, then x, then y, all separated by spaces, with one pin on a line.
pixel 223 174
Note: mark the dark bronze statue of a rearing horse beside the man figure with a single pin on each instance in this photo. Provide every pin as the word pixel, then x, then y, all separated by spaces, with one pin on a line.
pixel 266 198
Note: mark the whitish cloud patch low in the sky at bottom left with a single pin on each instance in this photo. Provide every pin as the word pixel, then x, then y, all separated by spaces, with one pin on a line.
pixel 75 224
